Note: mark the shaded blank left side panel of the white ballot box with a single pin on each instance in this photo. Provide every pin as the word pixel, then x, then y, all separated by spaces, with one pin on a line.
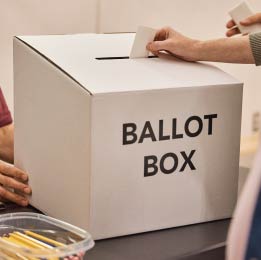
pixel 52 136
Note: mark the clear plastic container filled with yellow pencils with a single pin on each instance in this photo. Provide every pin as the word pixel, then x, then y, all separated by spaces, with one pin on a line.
pixel 71 241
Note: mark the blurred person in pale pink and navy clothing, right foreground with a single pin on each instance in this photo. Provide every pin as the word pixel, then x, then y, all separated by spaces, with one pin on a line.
pixel 244 240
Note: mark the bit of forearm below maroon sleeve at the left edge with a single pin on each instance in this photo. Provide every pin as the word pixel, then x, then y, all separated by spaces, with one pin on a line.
pixel 7 143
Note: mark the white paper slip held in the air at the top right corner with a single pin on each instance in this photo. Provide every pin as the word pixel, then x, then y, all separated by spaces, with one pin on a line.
pixel 241 12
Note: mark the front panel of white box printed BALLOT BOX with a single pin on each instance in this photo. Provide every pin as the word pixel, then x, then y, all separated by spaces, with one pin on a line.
pixel 124 201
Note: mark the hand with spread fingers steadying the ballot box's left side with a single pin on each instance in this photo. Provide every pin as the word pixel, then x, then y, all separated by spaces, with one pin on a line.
pixel 13 184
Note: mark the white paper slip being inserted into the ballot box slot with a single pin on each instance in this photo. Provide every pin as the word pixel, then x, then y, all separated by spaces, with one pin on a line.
pixel 144 35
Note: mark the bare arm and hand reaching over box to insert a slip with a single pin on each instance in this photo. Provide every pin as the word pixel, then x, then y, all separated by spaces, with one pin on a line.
pixel 231 50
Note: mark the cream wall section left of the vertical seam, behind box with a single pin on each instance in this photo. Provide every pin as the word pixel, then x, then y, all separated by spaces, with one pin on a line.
pixel 21 17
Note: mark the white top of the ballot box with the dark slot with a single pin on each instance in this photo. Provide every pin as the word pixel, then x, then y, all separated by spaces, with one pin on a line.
pixel 77 55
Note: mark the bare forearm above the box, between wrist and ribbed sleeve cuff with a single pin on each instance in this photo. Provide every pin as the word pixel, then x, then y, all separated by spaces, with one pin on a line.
pixel 229 50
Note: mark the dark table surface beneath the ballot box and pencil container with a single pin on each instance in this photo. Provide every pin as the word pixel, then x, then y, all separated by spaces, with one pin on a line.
pixel 175 243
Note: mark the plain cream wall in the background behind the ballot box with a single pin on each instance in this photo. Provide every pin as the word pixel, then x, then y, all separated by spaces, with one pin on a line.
pixel 202 19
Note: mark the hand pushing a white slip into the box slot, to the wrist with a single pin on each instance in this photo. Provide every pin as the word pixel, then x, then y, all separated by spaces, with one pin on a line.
pixel 174 43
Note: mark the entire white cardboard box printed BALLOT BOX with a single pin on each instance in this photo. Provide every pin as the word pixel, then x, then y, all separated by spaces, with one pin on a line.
pixel 121 146
